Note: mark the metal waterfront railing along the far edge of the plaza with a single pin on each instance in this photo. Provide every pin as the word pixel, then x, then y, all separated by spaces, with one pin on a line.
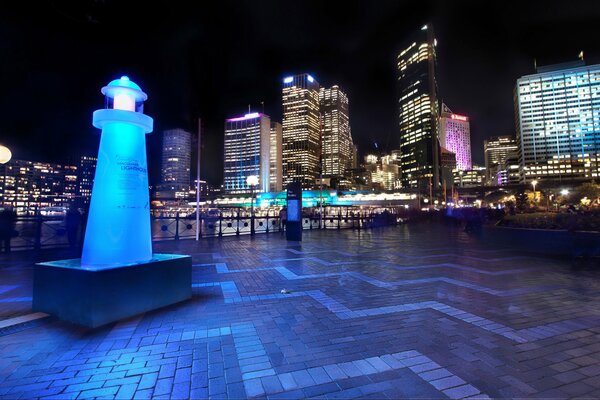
pixel 40 232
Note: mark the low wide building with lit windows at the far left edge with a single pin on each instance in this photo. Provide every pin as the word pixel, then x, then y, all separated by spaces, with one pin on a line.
pixel 30 186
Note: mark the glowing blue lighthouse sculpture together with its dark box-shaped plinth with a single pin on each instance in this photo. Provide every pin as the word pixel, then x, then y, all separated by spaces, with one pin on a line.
pixel 117 276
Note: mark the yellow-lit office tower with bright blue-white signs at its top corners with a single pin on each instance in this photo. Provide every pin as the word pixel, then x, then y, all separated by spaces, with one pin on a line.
pixel 301 130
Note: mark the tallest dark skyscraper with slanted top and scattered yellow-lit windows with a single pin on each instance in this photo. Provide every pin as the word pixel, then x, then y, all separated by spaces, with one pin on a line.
pixel 418 111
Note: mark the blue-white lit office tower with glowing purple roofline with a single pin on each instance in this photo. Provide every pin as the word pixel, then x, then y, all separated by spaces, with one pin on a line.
pixel 247 143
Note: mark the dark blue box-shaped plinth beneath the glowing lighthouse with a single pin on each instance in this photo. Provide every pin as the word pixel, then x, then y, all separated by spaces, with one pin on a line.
pixel 97 296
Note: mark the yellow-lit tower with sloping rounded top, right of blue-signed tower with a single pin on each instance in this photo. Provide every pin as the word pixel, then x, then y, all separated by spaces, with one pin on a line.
pixel 337 146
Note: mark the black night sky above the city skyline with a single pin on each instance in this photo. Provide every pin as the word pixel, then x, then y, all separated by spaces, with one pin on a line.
pixel 211 62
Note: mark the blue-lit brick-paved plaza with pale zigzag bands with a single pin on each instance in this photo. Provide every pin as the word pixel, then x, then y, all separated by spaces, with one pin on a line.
pixel 414 311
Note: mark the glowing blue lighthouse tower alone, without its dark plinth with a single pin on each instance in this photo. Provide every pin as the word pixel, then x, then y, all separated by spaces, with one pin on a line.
pixel 118 228
